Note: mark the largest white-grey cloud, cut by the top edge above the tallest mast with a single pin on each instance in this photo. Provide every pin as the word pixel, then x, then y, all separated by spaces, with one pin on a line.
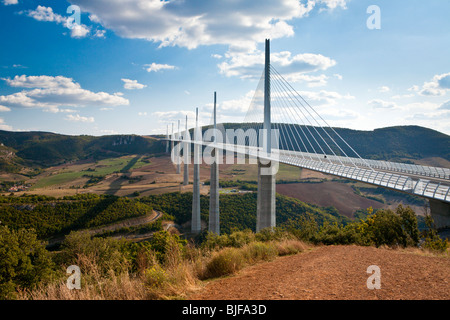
pixel 190 23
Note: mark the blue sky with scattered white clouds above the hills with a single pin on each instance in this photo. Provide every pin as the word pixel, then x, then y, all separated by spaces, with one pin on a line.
pixel 101 67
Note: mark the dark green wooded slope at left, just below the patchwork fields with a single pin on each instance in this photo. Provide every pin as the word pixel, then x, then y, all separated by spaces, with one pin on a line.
pixel 49 216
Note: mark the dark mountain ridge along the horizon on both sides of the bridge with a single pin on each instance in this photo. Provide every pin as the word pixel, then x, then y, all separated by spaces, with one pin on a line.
pixel 44 149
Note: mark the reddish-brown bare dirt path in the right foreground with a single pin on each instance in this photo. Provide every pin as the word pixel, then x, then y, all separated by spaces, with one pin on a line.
pixel 337 272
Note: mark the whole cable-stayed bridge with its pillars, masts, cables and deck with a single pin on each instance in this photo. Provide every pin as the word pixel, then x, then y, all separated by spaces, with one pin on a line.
pixel 282 127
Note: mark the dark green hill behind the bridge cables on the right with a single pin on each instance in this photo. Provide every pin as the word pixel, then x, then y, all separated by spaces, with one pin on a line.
pixel 390 143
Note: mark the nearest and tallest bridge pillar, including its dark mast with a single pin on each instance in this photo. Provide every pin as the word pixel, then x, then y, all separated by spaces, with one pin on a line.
pixel 265 214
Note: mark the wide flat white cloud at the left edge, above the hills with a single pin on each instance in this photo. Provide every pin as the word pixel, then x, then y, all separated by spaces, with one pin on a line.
pixel 51 93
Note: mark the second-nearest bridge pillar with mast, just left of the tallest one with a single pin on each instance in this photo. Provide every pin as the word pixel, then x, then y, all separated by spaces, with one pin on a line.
pixel 214 221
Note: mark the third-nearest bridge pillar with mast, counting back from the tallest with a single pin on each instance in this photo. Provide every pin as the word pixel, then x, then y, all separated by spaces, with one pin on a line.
pixel 196 221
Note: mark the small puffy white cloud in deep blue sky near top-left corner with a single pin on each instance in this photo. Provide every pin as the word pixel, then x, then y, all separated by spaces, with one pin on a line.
pixel 42 13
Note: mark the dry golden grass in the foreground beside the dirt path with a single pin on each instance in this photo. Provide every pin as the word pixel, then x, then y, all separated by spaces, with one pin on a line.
pixel 181 273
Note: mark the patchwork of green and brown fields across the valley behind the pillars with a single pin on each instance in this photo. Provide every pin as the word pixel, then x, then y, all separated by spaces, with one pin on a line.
pixel 141 176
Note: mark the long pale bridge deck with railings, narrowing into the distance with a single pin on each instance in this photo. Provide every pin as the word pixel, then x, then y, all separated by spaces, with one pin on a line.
pixel 423 181
